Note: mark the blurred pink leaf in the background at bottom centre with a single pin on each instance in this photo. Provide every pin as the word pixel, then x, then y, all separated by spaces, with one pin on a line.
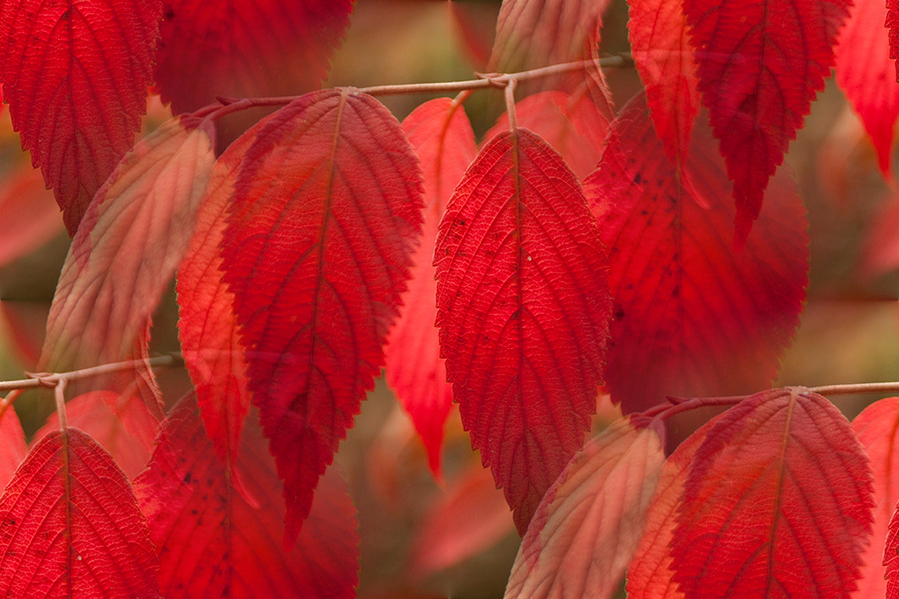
pixel 469 518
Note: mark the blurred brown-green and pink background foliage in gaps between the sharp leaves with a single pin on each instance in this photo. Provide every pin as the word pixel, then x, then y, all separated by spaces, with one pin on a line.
pixel 453 537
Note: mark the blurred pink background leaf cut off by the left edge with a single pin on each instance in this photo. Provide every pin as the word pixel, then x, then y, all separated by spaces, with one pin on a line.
pixel 30 216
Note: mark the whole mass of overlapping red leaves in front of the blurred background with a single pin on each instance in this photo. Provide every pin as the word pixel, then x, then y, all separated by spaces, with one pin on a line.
pixel 578 250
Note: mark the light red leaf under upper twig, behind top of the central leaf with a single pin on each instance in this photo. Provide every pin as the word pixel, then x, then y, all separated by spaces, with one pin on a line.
pixel 568 122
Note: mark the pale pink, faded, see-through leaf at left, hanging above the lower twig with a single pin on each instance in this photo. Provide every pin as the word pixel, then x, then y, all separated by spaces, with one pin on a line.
pixel 126 250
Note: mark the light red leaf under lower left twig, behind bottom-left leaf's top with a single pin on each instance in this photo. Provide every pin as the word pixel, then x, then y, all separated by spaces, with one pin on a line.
pixel 102 414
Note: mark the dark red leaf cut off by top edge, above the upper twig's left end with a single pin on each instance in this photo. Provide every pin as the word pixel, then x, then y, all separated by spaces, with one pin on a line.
pixel 245 48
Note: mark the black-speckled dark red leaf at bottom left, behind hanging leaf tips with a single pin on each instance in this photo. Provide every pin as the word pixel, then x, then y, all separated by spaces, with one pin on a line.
pixel 213 544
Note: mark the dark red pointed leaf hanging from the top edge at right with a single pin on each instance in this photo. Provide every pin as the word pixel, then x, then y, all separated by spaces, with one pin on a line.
pixel 760 66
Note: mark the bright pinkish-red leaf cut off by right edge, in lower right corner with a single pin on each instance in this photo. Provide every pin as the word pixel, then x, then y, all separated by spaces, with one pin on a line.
pixel 877 428
